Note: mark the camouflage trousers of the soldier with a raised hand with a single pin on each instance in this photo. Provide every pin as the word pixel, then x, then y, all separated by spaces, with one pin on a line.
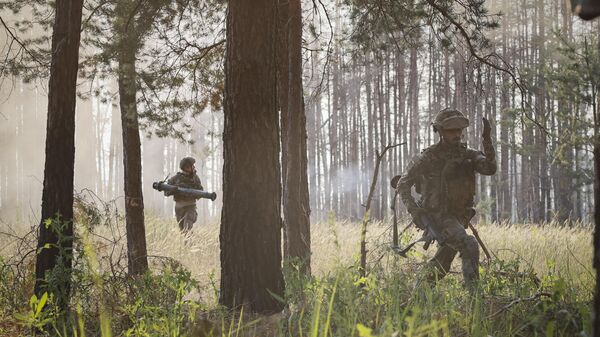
pixel 454 239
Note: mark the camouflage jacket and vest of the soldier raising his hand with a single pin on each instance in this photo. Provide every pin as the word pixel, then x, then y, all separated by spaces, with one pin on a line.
pixel 444 176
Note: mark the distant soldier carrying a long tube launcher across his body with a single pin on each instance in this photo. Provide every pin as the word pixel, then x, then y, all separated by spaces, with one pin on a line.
pixel 185 207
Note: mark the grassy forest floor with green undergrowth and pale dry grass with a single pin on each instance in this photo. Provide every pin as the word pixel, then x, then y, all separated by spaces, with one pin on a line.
pixel 539 283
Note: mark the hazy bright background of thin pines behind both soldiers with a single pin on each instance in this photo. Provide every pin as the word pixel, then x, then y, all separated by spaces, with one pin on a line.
pixel 366 86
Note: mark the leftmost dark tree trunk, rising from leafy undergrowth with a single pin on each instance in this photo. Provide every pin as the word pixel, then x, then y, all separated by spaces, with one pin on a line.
pixel 57 197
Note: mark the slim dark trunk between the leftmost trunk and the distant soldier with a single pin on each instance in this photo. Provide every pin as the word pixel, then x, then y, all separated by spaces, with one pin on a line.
pixel 132 160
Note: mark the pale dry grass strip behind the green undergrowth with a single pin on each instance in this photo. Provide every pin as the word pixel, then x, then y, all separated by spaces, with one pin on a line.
pixel 558 248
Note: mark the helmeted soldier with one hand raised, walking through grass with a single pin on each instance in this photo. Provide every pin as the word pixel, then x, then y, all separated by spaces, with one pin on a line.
pixel 444 175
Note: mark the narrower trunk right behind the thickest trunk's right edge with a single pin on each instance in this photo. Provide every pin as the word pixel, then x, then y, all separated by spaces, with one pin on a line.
pixel 296 208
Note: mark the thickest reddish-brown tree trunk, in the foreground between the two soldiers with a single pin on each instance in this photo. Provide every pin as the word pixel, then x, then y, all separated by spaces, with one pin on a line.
pixel 250 233
